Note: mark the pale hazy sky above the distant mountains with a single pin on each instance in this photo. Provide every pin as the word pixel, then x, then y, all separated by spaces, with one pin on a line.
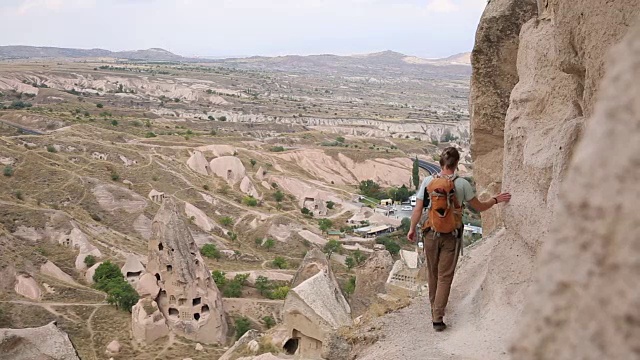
pixel 427 28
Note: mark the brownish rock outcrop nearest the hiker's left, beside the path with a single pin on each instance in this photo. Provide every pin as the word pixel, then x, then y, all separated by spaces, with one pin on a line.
pixel 371 278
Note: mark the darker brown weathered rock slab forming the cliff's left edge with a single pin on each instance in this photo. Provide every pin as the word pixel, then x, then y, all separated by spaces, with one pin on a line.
pixel 494 77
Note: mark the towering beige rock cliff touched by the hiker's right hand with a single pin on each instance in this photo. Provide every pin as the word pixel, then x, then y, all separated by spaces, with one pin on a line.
pixel 572 203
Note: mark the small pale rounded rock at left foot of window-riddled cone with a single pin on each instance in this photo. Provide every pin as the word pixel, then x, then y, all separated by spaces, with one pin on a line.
pixel 148 324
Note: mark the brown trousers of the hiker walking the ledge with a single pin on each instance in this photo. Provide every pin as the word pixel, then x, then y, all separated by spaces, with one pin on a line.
pixel 441 252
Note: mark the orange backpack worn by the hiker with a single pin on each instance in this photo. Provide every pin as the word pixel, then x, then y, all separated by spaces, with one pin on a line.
pixel 445 214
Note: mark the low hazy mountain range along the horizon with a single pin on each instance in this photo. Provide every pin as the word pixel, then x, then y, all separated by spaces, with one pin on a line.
pixel 156 54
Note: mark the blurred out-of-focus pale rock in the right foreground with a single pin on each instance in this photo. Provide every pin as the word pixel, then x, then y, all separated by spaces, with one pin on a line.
pixel 585 303
